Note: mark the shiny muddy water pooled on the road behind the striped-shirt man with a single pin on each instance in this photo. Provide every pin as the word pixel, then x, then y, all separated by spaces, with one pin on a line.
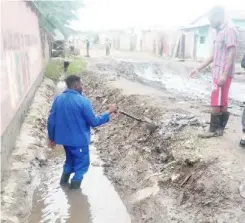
pixel 180 84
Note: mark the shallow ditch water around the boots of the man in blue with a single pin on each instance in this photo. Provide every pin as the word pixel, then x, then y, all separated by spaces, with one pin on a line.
pixel 96 202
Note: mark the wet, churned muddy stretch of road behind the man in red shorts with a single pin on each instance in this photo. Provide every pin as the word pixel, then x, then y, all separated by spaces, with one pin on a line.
pixel 159 76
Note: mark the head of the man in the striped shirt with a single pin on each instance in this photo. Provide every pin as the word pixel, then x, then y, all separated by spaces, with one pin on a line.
pixel 217 16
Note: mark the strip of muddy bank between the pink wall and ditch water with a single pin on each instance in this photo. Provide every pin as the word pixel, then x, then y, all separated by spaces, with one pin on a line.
pixel 28 158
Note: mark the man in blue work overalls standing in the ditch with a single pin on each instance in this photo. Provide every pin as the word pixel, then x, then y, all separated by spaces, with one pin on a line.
pixel 69 123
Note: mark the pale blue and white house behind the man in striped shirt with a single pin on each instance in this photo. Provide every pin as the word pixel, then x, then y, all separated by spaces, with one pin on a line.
pixel 197 38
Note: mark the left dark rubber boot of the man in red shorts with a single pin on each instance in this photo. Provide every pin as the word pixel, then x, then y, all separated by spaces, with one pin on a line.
pixel 215 124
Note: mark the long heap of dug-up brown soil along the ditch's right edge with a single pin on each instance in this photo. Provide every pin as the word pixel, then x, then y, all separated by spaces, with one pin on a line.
pixel 160 176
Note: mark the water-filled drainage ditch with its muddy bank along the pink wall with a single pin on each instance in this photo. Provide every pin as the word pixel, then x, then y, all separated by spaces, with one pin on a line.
pixel 38 173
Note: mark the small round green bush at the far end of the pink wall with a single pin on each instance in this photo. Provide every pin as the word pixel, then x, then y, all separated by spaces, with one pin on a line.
pixel 53 69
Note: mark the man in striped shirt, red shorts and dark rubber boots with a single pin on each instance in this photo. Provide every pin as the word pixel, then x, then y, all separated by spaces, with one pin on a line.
pixel 223 59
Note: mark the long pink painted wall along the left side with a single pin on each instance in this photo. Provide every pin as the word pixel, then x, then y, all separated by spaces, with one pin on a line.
pixel 22 65
